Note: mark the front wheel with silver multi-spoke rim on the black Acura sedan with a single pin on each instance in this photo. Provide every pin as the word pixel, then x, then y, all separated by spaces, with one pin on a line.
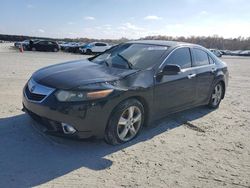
pixel 125 123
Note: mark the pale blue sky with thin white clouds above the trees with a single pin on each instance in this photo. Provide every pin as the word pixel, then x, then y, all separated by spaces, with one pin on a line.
pixel 114 19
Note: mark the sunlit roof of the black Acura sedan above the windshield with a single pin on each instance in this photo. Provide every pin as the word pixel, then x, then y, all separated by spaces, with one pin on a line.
pixel 163 43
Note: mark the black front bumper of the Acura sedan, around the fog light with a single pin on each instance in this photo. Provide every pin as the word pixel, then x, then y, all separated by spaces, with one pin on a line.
pixel 88 118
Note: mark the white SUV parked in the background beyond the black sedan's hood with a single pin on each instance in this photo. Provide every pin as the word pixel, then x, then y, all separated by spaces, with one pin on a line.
pixel 94 47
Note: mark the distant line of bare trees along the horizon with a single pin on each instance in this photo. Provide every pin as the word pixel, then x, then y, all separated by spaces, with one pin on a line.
pixel 215 41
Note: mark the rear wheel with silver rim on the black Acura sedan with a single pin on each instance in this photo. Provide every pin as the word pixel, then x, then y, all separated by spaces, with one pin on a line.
pixel 216 96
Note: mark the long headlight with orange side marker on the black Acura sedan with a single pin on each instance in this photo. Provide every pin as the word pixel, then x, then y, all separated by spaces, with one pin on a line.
pixel 72 96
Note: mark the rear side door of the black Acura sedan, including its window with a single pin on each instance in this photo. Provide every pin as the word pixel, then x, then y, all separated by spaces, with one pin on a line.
pixel 205 69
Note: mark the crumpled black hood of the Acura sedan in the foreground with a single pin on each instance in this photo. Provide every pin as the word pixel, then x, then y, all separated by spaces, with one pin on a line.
pixel 78 73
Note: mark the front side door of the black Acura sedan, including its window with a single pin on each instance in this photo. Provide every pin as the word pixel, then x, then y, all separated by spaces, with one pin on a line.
pixel 175 92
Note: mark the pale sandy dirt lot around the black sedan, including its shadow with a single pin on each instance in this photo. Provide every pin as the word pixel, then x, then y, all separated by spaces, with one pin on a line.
pixel 195 148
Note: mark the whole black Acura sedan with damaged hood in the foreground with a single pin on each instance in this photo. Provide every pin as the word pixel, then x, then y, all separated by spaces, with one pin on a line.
pixel 113 95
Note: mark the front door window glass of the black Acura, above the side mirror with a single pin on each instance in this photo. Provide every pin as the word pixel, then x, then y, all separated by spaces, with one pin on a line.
pixel 180 57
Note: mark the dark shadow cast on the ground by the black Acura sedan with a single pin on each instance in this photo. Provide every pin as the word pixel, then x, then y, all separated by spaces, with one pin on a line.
pixel 29 158
